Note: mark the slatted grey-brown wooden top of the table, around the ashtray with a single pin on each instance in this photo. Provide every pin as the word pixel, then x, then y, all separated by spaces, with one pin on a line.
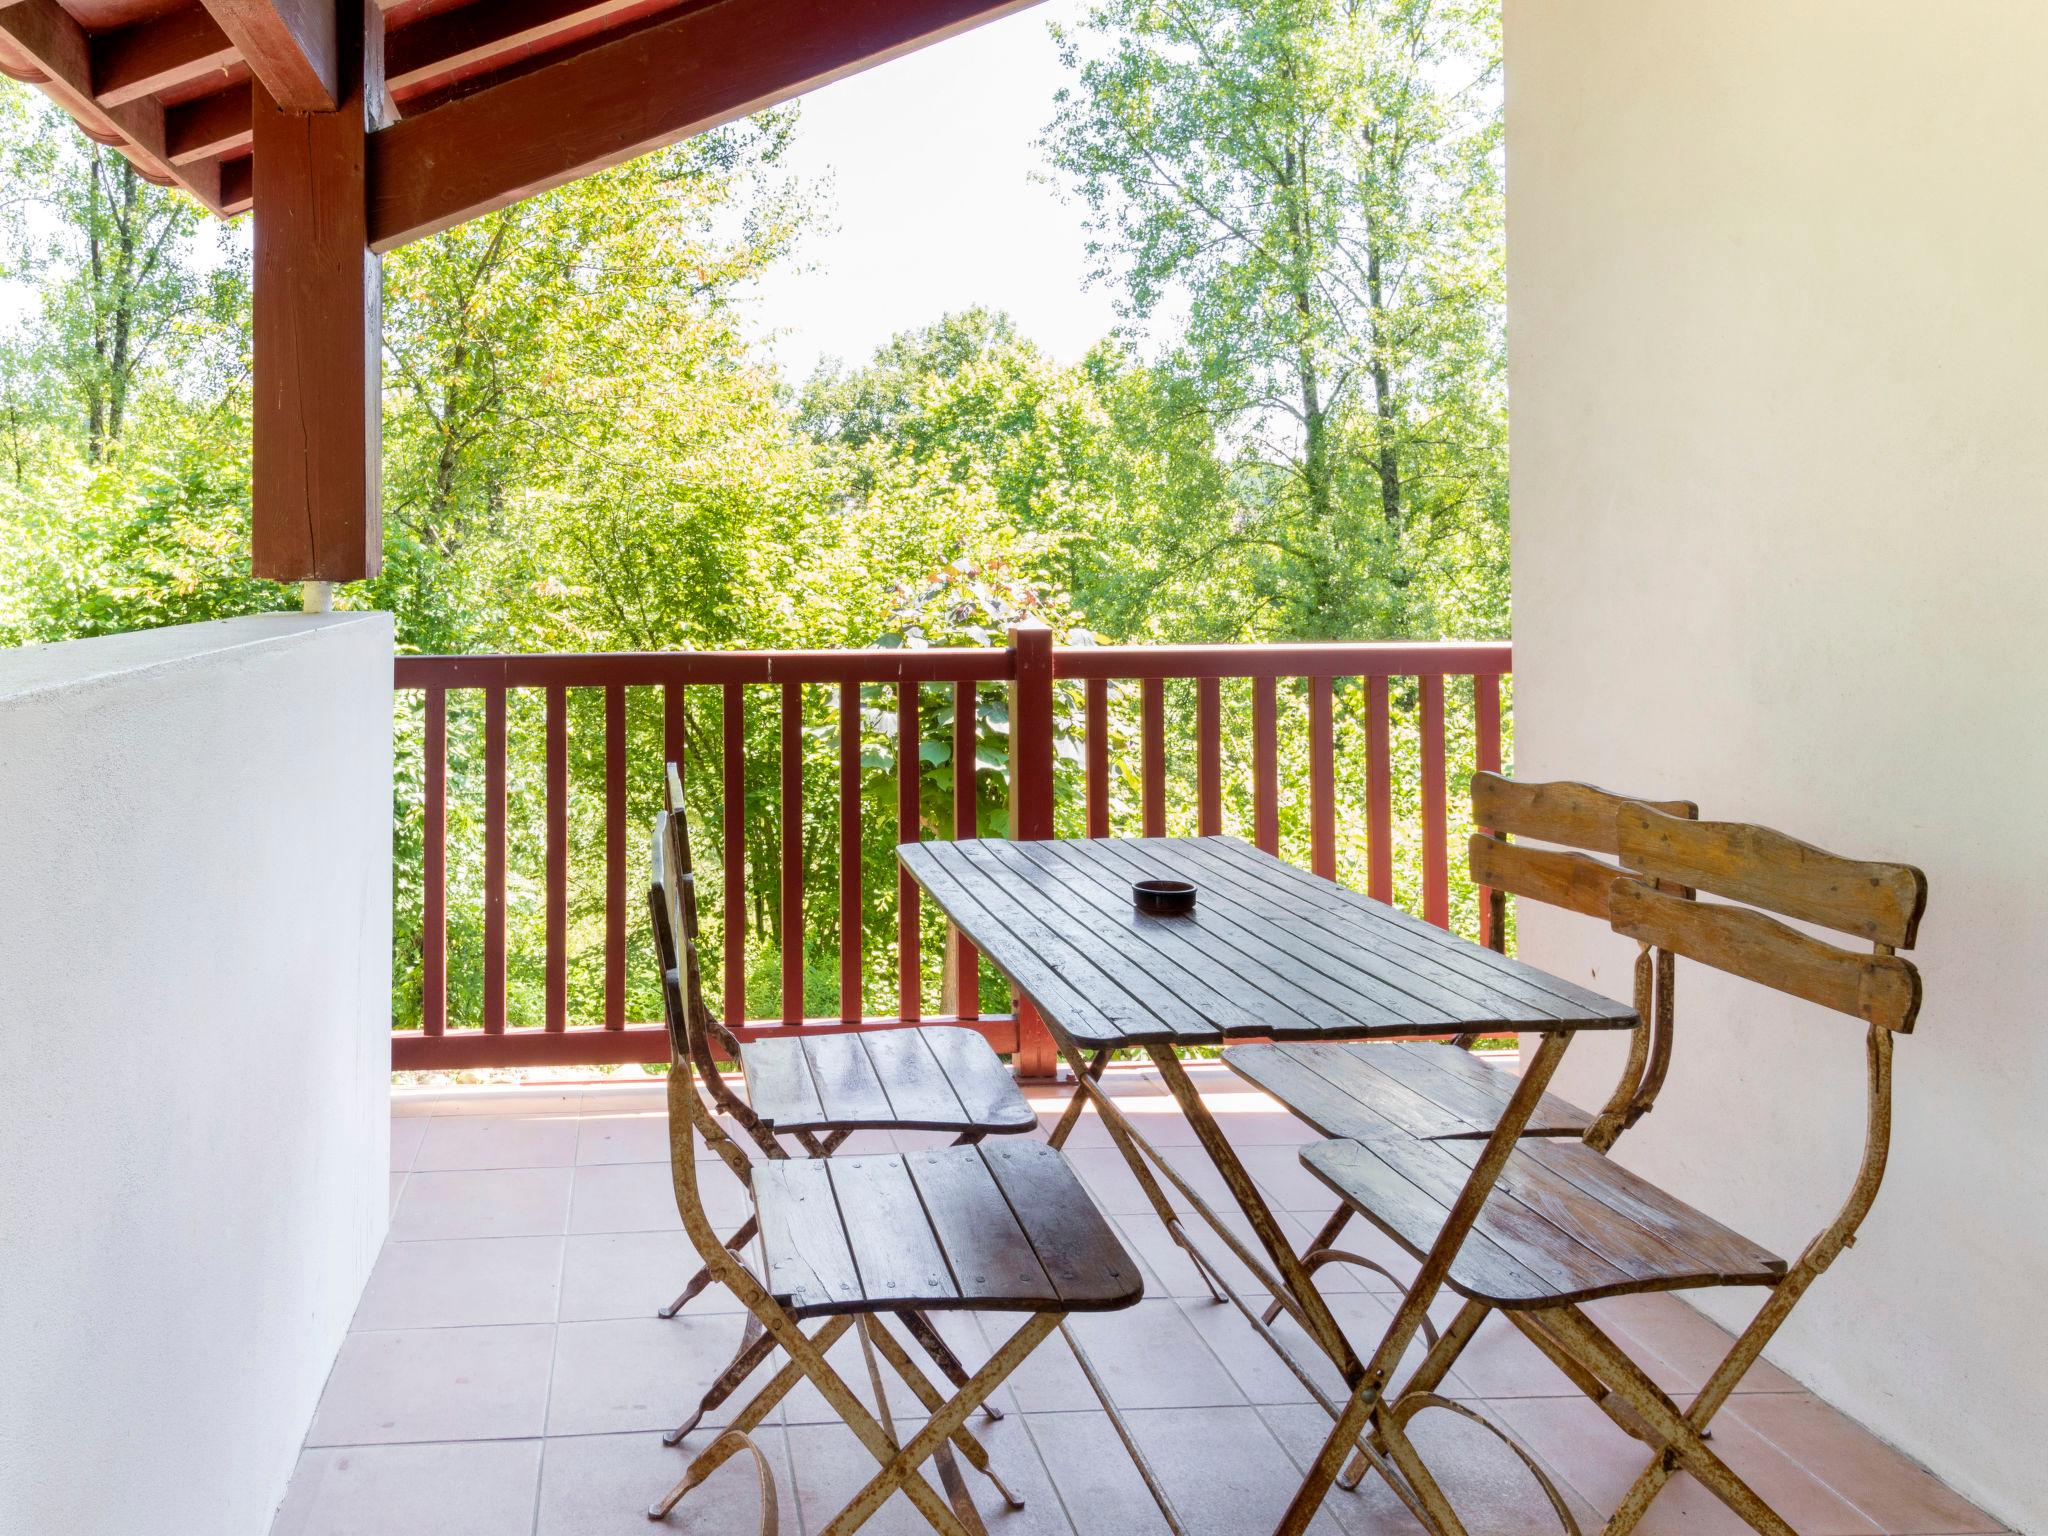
pixel 1269 951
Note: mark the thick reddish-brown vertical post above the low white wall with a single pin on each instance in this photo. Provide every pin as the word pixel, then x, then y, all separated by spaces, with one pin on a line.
pixel 318 329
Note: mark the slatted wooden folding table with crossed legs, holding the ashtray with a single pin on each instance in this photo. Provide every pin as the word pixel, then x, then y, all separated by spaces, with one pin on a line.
pixel 1271 951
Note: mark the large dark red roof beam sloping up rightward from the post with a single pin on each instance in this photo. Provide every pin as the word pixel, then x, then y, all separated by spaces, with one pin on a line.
pixel 622 99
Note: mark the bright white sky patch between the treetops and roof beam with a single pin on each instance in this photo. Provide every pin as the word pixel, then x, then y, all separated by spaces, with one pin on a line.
pixel 941 202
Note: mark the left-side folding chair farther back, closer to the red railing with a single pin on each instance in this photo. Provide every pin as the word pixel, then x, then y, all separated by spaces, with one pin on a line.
pixel 822 1089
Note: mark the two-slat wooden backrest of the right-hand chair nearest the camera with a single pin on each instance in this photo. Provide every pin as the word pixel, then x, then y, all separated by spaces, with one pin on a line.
pixel 1773 873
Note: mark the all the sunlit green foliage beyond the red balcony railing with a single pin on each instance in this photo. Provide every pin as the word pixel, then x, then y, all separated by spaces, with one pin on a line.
pixel 1299 433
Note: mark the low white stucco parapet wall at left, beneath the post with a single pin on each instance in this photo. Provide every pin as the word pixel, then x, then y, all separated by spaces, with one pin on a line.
pixel 196 996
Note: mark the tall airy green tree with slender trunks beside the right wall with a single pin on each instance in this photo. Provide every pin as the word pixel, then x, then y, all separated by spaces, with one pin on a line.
pixel 1308 196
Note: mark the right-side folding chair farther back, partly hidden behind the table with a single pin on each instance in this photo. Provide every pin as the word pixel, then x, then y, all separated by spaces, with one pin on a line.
pixel 1439 1091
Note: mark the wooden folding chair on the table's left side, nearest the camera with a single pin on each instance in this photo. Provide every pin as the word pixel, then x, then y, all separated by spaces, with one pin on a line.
pixel 998 1228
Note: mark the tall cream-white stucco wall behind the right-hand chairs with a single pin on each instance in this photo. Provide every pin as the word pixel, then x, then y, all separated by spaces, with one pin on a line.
pixel 1781 521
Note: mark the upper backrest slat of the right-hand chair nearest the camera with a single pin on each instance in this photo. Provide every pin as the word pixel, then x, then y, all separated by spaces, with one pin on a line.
pixel 1875 902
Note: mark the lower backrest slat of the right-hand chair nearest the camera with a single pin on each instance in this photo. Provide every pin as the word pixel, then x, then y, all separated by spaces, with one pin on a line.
pixel 1877 988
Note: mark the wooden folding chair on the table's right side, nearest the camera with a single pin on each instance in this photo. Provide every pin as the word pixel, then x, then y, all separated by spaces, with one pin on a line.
pixel 1566 1224
